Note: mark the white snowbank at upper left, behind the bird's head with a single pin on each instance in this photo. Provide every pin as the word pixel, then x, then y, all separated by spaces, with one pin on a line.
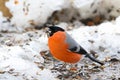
pixel 29 13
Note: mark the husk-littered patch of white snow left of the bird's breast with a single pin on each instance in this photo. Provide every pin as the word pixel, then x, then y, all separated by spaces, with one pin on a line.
pixel 21 61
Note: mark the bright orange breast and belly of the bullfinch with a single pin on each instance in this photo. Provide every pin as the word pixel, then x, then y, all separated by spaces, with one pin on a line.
pixel 59 48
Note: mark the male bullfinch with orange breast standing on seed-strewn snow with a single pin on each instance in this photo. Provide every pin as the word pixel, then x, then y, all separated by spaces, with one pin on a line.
pixel 64 48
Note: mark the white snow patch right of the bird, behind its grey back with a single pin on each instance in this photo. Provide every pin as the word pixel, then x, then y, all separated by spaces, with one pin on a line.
pixel 105 35
